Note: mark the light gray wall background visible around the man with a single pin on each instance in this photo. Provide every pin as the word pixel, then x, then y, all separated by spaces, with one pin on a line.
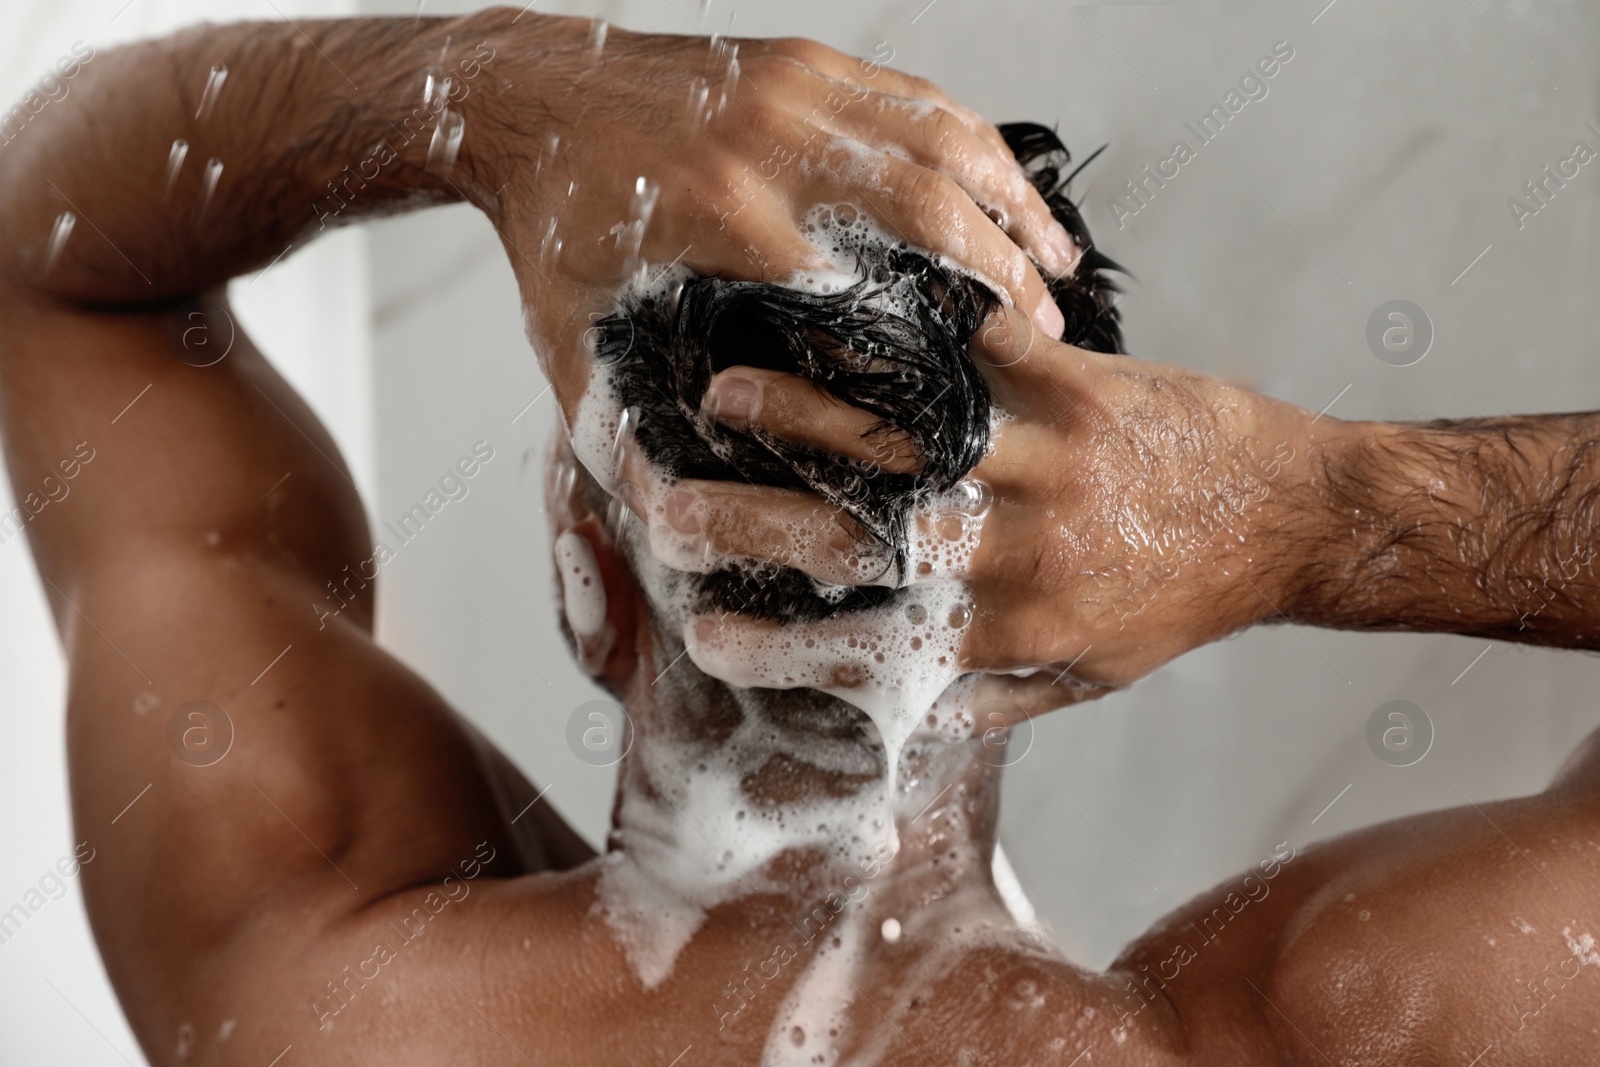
pixel 1378 167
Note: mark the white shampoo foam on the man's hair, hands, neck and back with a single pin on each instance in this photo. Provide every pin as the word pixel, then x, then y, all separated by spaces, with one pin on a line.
pixel 690 837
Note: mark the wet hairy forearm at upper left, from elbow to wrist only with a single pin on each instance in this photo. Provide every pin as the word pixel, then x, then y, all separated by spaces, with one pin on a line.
pixel 207 154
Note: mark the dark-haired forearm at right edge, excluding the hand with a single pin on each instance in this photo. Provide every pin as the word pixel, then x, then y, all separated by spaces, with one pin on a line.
pixel 1482 527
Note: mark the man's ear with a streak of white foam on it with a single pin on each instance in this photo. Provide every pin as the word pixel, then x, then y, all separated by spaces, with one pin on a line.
pixel 601 601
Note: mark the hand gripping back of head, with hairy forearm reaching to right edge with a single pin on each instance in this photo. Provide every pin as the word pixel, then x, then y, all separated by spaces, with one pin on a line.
pixel 1137 511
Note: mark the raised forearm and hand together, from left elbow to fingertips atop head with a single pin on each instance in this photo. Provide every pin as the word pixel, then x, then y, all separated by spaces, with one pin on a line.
pixel 596 156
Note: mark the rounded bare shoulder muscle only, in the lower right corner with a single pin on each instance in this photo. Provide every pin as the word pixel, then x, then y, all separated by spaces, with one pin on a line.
pixel 1450 933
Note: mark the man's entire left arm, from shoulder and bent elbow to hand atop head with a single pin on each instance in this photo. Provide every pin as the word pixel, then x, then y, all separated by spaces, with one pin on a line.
pixel 250 769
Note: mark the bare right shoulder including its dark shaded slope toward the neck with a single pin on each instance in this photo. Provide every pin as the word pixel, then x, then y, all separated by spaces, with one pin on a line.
pixel 1425 940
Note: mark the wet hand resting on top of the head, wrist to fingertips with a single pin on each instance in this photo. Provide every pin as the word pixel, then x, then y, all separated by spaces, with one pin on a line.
pixel 676 150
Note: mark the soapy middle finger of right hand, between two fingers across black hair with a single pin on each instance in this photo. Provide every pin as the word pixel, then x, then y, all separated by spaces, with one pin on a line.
pixel 783 527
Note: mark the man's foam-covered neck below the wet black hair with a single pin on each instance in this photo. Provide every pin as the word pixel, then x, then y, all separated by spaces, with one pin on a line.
pixel 753 807
